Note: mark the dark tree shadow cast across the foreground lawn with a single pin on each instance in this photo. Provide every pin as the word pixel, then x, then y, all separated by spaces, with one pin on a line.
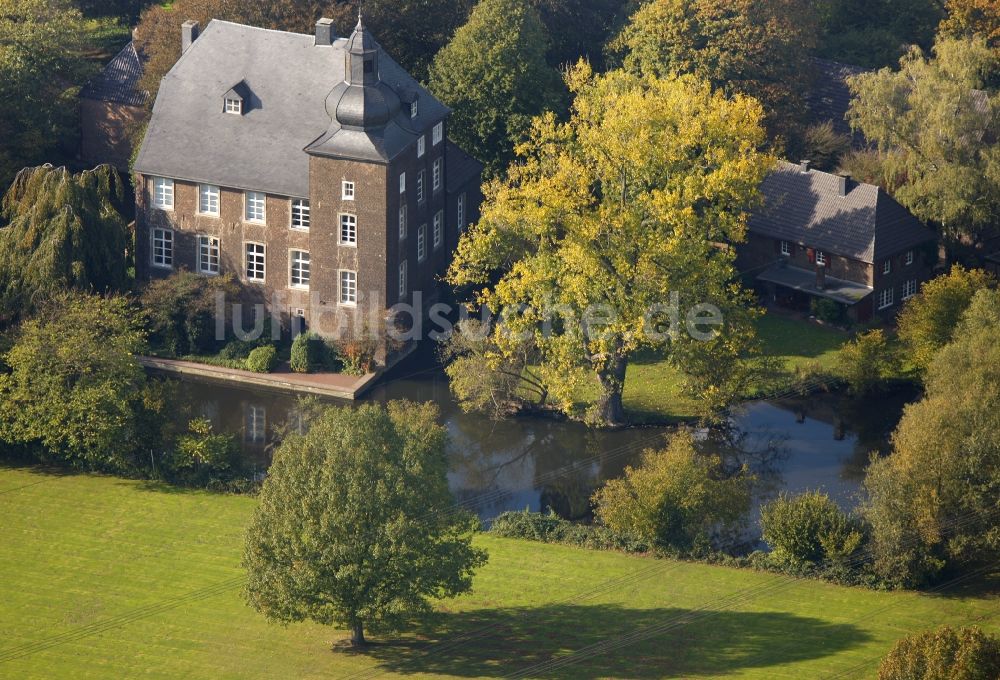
pixel 499 642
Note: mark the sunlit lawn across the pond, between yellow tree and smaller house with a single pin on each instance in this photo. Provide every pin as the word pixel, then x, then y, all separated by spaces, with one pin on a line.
pixel 653 387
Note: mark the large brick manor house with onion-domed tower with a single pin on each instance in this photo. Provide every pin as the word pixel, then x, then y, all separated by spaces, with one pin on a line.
pixel 313 167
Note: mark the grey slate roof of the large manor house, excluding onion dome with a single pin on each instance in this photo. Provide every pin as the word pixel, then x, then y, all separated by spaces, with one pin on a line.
pixel 289 78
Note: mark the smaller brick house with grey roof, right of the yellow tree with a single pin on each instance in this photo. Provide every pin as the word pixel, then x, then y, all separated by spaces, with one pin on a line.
pixel 820 235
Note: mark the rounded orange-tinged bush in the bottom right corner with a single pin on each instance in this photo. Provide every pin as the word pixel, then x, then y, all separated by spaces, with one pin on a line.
pixel 943 654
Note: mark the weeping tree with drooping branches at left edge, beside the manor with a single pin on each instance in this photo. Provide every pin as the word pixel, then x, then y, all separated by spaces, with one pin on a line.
pixel 61 231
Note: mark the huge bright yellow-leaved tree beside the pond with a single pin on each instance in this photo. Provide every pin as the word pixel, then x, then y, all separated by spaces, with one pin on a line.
pixel 609 218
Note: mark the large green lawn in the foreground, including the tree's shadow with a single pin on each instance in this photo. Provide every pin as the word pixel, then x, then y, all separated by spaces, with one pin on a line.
pixel 105 578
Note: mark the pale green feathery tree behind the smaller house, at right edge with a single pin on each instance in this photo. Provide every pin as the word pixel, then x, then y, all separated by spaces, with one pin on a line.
pixel 936 129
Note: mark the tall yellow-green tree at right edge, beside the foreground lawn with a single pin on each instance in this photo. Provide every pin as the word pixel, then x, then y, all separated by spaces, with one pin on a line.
pixel 935 500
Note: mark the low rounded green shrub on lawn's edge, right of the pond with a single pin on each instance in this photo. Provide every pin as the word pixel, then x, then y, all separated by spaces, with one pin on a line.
pixel 808 528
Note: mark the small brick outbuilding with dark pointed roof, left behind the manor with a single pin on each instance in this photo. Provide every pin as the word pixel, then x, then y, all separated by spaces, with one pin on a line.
pixel 110 106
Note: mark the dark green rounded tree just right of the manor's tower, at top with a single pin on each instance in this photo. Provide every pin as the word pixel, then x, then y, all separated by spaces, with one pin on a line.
pixel 494 76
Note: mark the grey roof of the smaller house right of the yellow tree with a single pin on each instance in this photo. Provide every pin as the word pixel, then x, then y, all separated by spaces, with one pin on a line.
pixel 806 208
